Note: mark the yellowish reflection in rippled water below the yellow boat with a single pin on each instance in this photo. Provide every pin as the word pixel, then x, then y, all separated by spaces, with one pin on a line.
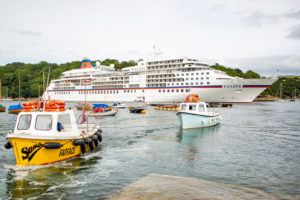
pixel 52 180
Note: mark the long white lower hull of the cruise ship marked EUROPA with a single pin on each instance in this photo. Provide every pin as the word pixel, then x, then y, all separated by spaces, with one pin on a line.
pixel 227 91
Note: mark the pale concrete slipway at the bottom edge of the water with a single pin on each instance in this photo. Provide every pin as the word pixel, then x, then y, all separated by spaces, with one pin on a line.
pixel 165 187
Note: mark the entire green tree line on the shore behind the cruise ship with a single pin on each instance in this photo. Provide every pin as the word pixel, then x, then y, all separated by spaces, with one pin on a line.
pixel 31 77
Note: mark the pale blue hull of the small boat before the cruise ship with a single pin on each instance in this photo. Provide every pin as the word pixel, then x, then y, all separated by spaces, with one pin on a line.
pixel 197 121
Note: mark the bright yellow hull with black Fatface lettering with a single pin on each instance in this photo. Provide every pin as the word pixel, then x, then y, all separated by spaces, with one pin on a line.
pixel 33 151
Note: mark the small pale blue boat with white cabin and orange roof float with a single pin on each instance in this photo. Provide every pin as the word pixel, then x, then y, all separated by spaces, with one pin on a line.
pixel 196 115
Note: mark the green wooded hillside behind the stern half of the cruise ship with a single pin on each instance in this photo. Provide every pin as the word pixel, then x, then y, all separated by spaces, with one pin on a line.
pixel 31 75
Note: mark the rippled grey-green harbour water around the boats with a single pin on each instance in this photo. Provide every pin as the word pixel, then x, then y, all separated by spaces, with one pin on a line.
pixel 256 145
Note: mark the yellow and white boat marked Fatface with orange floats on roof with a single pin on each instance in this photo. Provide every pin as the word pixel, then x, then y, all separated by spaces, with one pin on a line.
pixel 46 133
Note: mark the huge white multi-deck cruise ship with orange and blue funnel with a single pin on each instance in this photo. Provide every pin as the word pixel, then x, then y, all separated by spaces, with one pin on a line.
pixel 154 81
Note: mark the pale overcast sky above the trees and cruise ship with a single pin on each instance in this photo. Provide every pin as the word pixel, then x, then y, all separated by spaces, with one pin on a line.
pixel 260 35
